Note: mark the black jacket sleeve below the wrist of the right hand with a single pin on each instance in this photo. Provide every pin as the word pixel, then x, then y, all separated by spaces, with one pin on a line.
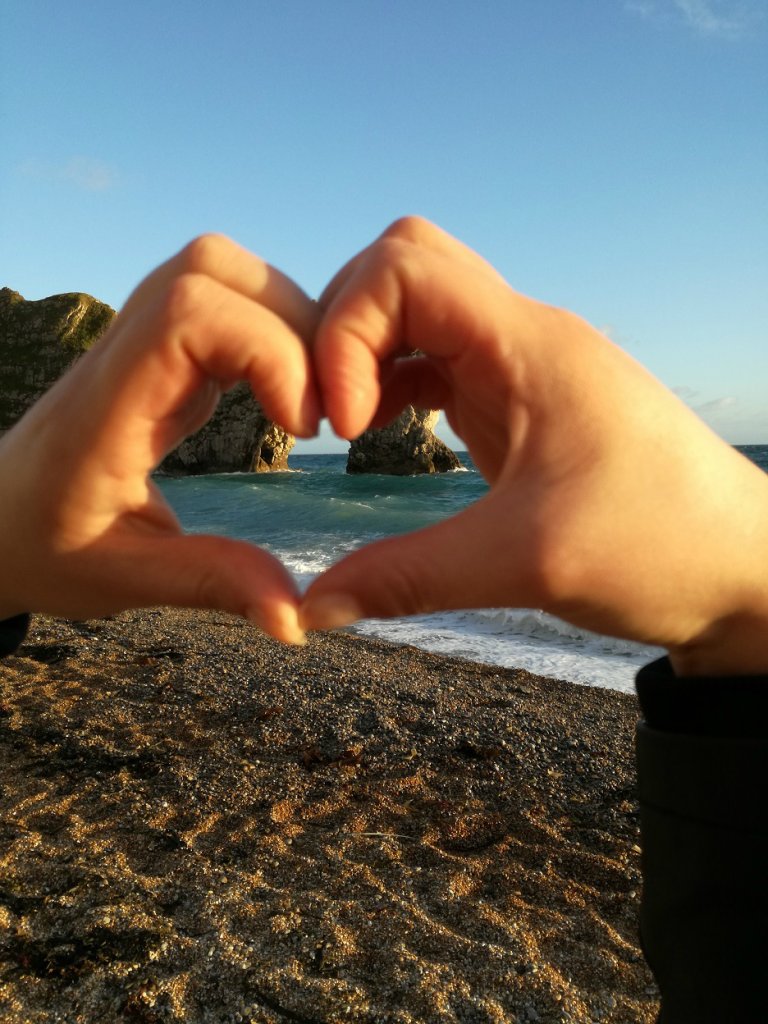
pixel 703 785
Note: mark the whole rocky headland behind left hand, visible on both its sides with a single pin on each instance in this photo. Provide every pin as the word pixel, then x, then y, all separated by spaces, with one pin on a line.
pixel 40 340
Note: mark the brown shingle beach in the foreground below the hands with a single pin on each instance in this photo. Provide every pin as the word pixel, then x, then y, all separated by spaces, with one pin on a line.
pixel 200 825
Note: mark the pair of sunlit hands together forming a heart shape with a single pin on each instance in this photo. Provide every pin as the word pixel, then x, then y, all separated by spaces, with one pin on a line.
pixel 611 504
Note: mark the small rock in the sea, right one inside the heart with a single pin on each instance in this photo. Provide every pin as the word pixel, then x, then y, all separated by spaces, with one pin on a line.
pixel 405 448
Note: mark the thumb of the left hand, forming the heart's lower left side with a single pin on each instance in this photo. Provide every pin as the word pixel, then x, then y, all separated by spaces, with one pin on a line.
pixel 208 572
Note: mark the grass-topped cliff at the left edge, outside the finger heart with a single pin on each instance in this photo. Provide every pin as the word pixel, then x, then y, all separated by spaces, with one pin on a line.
pixel 41 340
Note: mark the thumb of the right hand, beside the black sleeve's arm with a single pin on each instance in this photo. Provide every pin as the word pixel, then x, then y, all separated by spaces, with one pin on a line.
pixel 454 565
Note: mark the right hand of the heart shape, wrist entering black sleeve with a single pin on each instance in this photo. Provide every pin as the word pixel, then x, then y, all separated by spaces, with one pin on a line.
pixel 612 505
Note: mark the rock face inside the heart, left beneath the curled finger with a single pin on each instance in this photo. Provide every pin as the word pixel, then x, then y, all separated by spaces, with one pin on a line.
pixel 238 439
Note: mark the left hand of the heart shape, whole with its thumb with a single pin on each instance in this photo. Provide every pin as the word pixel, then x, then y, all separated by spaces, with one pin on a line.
pixel 86 531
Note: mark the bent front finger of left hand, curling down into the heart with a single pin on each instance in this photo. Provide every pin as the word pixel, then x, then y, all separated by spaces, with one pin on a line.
pixel 160 364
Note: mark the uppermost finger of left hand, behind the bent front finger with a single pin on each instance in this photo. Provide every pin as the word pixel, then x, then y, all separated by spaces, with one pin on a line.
pixel 230 265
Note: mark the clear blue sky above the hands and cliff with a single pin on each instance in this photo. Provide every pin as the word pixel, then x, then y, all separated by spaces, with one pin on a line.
pixel 611 156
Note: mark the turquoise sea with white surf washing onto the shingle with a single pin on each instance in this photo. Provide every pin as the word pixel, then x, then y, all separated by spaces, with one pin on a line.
pixel 317 514
